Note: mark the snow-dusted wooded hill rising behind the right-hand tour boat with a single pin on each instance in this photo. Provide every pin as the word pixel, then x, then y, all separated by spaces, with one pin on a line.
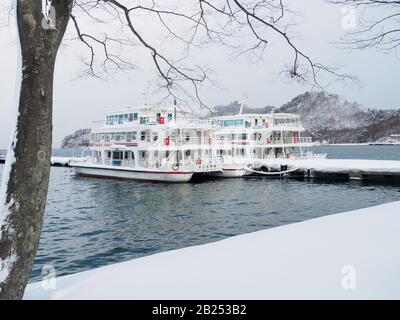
pixel 332 118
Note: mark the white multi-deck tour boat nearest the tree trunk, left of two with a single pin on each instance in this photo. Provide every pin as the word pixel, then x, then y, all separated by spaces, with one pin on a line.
pixel 150 143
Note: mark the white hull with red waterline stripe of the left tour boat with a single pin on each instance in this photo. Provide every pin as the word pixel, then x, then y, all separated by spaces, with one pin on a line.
pixel 130 174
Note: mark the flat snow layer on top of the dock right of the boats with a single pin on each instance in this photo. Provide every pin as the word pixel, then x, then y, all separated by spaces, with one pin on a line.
pixel 339 165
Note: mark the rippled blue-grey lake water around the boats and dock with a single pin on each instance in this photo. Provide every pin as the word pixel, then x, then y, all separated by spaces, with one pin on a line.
pixel 91 223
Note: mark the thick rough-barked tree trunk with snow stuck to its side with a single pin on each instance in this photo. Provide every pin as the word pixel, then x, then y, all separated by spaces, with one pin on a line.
pixel 27 170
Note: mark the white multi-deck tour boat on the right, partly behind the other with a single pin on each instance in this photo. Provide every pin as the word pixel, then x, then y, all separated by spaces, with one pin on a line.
pixel 248 140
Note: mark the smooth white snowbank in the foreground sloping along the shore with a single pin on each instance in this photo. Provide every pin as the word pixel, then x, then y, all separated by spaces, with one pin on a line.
pixel 345 256
